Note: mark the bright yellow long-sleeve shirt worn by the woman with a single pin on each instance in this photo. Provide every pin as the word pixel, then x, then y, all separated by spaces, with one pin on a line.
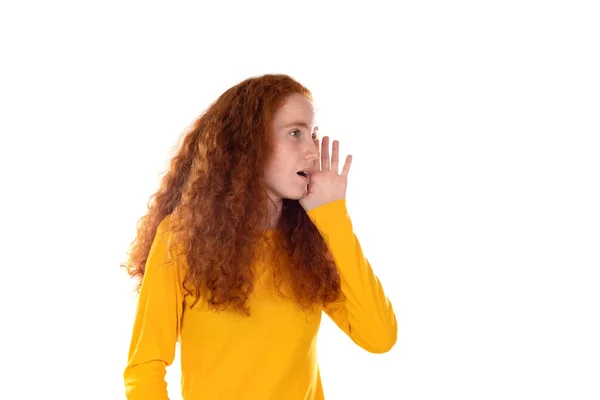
pixel 270 355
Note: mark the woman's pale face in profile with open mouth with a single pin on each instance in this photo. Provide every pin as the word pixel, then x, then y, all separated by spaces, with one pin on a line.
pixel 294 151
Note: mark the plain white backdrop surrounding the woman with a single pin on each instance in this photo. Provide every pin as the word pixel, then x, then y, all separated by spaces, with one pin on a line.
pixel 474 189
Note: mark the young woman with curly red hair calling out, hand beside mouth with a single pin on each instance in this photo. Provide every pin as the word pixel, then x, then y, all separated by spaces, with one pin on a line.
pixel 245 244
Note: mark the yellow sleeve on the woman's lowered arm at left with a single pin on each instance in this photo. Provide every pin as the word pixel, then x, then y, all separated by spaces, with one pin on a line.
pixel 157 323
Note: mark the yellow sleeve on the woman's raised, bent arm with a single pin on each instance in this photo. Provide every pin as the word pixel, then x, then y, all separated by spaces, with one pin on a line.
pixel 364 313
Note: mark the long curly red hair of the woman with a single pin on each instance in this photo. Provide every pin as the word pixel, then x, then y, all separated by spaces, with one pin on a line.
pixel 215 193
